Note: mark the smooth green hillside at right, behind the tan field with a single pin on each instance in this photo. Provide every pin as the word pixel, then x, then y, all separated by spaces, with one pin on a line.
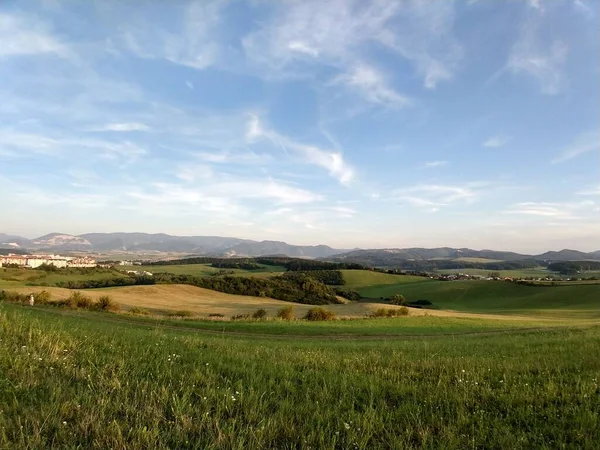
pixel 500 297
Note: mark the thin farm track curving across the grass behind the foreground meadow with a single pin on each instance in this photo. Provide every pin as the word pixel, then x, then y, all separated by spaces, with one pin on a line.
pixel 356 337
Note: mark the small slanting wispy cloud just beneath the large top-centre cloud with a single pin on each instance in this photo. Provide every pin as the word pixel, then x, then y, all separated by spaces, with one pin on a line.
pixel 372 85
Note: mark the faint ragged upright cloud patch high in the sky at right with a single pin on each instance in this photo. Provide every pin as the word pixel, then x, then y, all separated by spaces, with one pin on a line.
pixel 543 61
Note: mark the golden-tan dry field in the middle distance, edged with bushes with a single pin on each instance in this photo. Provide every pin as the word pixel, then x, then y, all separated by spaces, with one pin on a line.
pixel 202 302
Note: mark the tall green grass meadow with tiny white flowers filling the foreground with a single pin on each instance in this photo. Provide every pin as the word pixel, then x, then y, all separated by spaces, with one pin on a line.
pixel 73 383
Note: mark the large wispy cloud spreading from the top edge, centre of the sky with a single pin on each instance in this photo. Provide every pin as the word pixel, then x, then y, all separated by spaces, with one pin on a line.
pixel 336 34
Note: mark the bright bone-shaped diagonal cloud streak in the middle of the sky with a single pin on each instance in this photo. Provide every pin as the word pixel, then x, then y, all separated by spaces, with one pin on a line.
pixel 333 161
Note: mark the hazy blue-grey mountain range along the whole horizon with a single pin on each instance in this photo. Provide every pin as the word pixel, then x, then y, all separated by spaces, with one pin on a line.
pixel 230 247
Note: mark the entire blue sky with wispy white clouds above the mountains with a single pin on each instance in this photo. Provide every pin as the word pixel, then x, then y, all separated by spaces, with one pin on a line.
pixel 371 124
